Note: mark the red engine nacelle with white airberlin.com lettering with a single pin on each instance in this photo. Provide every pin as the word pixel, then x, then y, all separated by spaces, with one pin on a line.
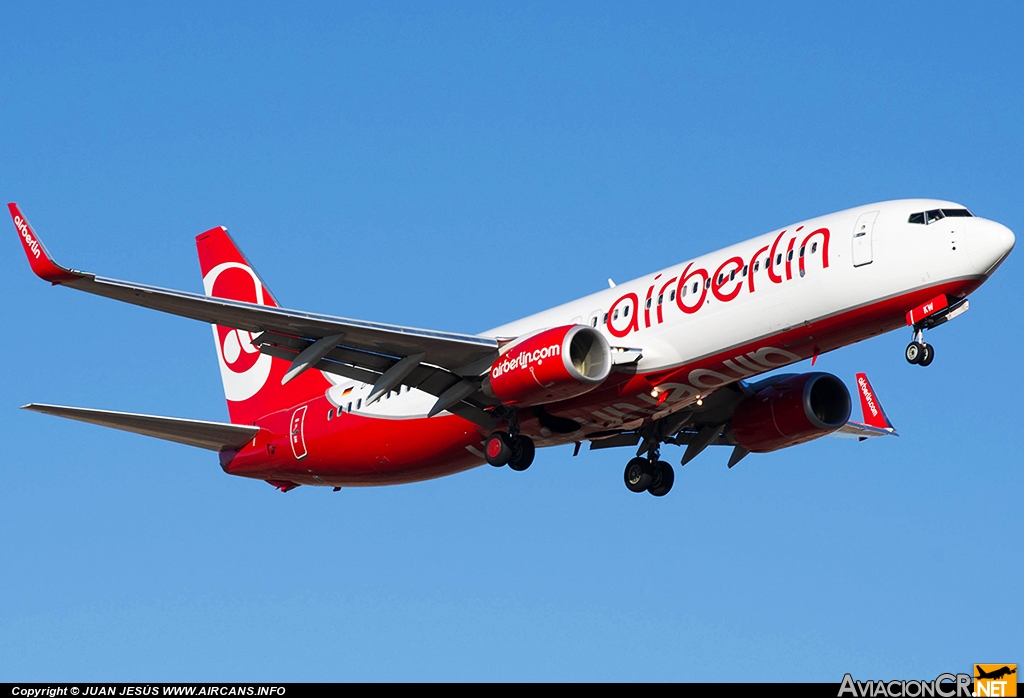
pixel 551 366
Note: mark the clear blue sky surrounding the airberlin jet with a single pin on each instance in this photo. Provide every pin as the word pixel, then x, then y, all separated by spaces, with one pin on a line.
pixel 458 166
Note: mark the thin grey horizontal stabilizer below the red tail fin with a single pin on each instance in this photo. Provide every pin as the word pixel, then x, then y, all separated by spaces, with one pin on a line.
pixel 211 435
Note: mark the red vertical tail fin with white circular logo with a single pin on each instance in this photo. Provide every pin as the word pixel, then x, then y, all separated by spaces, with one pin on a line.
pixel 252 380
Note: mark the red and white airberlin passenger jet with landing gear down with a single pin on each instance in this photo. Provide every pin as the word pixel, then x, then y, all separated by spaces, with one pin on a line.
pixel 673 358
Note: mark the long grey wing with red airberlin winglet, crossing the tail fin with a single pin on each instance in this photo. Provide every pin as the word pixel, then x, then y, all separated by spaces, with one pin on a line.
pixel 372 347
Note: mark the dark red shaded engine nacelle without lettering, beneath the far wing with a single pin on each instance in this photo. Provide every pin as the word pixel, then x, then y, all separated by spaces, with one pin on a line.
pixel 796 410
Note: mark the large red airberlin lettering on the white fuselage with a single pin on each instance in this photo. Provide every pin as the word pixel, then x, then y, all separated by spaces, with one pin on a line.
pixel 726 284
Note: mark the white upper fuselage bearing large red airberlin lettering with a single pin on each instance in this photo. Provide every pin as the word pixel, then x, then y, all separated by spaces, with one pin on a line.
pixel 890 257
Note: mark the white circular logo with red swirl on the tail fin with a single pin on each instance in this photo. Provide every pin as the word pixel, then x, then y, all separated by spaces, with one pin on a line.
pixel 243 369
